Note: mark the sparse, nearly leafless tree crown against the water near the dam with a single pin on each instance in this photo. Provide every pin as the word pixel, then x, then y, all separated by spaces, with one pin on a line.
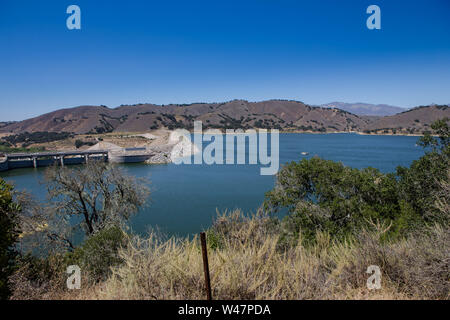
pixel 100 193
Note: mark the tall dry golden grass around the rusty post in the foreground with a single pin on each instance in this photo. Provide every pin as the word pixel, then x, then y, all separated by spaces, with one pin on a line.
pixel 246 263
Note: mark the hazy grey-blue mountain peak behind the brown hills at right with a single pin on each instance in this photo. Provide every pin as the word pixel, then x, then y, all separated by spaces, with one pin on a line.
pixel 365 109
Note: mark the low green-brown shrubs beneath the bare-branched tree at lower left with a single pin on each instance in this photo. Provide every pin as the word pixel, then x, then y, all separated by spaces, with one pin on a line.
pixel 44 277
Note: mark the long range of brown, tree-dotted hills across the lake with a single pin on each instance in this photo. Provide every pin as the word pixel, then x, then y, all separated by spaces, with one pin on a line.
pixel 286 115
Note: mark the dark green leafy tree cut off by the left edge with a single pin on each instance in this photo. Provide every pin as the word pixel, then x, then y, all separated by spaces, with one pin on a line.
pixel 9 233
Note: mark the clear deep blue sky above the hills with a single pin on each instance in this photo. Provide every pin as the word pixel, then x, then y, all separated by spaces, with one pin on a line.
pixel 189 51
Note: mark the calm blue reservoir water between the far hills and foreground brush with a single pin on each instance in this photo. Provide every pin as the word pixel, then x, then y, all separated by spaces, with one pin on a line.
pixel 185 198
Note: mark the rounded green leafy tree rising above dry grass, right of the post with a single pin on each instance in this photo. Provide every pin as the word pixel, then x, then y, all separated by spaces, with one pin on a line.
pixel 328 196
